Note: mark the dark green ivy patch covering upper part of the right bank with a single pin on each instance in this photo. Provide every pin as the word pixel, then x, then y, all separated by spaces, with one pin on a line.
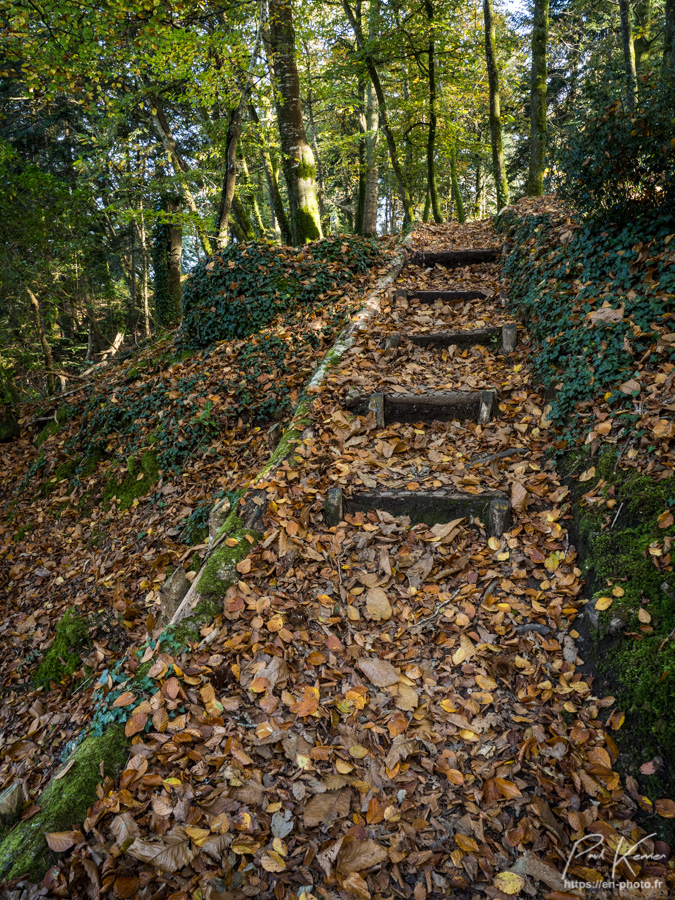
pixel 556 284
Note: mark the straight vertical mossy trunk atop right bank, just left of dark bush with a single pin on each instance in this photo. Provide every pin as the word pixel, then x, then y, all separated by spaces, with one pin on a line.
pixel 538 126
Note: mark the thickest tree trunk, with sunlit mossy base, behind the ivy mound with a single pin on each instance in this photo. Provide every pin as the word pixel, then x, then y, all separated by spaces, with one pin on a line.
pixel 299 165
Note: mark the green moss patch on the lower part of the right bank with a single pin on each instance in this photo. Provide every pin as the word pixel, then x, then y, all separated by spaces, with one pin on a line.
pixel 625 552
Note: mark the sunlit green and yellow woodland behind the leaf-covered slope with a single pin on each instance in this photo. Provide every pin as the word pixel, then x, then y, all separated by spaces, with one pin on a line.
pixel 139 137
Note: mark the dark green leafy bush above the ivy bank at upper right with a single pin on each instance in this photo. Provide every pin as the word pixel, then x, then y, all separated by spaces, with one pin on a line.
pixel 621 164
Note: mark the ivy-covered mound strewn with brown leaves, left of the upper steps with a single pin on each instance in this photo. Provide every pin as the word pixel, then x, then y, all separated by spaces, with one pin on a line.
pixel 243 288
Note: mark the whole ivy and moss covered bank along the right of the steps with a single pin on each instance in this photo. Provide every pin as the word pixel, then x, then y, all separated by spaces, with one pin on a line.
pixel 597 300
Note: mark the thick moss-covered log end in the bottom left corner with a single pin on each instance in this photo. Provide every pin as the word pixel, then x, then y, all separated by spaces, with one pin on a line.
pixel 62 804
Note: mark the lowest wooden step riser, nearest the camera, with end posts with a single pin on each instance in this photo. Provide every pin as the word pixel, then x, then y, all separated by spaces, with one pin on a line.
pixel 492 508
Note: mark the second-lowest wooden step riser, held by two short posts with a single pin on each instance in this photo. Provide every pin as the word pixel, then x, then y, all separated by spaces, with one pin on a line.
pixel 439 406
